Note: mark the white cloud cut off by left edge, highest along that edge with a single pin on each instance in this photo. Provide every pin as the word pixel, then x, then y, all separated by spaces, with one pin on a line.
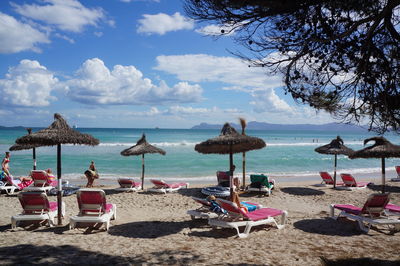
pixel 16 36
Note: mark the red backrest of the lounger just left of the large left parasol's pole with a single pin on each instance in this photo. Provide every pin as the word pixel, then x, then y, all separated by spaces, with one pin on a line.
pixel 33 202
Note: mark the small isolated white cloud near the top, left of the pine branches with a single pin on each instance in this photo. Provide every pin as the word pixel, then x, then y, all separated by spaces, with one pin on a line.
pixel 162 23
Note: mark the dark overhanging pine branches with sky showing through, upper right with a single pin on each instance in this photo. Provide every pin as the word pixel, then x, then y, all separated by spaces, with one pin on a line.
pixel 341 56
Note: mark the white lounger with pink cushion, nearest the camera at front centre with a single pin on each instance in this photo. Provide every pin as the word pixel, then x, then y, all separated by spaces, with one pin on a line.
pixel 236 218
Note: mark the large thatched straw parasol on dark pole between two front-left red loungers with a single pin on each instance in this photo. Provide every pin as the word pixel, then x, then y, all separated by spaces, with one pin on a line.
pixel 59 132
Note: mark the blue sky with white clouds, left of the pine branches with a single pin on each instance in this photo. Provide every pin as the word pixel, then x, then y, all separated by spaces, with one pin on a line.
pixel 130 64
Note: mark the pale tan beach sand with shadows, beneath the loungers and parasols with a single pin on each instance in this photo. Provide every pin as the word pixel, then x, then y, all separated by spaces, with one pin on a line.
pixel 155 229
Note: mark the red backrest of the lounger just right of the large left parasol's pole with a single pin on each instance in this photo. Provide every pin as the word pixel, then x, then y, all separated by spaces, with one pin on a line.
pixel 91 201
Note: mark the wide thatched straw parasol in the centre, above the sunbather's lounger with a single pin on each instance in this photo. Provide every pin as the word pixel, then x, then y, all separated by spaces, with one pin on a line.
pixel 230 142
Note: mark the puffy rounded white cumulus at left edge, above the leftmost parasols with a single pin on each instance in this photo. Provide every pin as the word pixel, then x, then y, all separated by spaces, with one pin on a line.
pixel 27 85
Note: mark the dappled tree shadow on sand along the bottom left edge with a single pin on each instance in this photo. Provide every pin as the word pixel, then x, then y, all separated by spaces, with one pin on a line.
pixel 70 255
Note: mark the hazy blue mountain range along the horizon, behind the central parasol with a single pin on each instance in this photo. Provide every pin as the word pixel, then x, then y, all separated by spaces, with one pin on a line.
pixel 335 127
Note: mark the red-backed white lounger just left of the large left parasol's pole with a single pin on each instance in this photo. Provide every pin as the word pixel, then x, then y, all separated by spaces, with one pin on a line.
pixel 36 207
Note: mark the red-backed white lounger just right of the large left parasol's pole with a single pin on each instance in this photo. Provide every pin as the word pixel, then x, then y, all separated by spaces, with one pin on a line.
pixel 93 208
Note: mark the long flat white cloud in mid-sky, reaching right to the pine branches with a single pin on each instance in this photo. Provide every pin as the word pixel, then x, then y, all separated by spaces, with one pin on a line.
pixel 207 68
